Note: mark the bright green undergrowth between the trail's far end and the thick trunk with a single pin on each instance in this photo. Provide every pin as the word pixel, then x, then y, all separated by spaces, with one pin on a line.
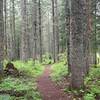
pixel 60 69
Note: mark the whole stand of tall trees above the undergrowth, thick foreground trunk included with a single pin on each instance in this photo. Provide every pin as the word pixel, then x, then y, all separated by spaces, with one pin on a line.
pixel 33 28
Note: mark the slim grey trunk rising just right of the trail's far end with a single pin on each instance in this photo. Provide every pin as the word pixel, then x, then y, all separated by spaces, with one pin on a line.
pixel 55 31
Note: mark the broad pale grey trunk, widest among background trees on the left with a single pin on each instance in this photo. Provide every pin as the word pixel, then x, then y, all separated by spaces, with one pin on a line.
pixel 24 34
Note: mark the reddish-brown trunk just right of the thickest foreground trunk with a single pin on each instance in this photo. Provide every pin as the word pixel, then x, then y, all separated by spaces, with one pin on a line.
pixel 86 37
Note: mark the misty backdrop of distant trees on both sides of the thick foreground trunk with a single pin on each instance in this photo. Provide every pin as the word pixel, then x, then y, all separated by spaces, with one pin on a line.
pixel 37 35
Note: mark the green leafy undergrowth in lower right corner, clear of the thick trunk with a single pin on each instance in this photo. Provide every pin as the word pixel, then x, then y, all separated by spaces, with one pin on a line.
pixel 92 83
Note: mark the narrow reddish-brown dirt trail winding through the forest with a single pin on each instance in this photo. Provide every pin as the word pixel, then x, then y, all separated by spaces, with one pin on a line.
pixel 48 89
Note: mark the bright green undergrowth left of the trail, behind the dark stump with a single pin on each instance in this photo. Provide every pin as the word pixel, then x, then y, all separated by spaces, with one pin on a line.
pixel 29 68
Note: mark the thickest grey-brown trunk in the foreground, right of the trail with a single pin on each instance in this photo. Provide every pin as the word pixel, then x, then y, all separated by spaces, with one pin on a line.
pixel 78 28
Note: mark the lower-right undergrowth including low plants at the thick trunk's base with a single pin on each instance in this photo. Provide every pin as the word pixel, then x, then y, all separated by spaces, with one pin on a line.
pixel 92 86
